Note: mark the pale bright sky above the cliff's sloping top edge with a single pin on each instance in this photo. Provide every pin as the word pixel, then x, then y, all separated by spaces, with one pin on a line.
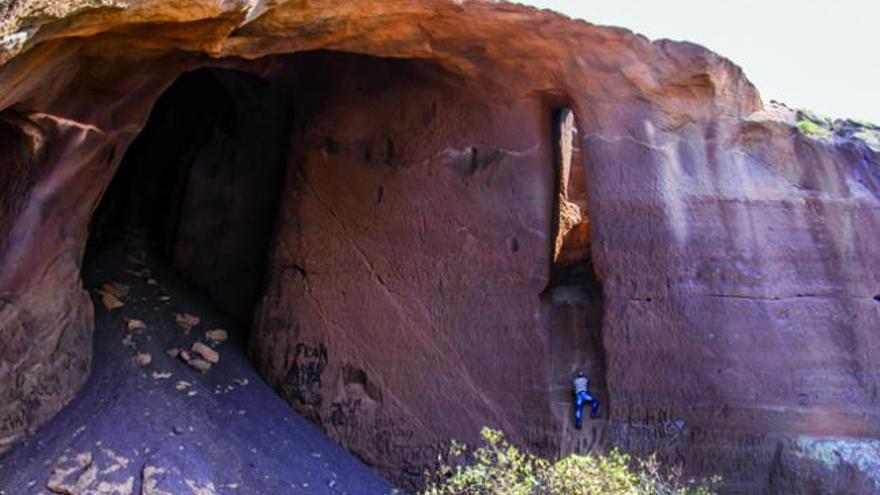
pixel 818 54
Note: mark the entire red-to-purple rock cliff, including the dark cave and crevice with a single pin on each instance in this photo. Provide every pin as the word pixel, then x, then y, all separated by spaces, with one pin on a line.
pixel 462 203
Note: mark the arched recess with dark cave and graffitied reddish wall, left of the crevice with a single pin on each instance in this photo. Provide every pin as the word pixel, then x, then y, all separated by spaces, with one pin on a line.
pixel 402 196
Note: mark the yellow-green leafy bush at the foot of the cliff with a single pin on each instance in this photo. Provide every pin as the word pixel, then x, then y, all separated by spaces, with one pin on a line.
pixel 498 468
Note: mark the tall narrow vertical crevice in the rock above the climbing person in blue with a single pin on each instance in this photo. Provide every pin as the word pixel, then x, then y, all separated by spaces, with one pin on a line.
pixel 572 301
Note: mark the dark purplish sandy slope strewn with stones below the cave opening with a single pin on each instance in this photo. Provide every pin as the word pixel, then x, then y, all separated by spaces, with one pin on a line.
pixel 163 427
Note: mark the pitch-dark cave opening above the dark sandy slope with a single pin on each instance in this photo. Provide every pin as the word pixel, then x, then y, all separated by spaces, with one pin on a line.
pixel 201 184
